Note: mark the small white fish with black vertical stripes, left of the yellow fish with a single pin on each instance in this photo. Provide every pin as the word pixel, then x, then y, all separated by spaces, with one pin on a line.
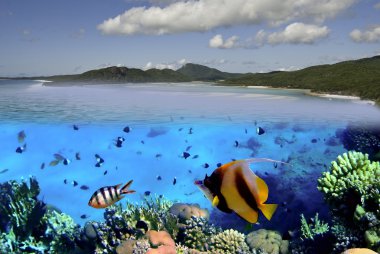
pixel 109 195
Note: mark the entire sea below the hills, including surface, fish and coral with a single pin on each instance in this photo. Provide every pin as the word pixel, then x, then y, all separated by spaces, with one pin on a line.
pixel 186 168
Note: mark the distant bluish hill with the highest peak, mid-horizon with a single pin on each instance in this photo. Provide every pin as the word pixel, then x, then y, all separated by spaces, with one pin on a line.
pixel 203 73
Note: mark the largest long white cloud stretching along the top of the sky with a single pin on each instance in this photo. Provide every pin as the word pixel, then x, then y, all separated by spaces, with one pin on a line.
pixel 203 15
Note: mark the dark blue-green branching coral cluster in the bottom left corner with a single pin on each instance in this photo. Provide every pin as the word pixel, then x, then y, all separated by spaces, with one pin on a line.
pixel 27 226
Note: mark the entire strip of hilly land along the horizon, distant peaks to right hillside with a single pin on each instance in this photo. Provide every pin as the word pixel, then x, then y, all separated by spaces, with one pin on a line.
pixel 354 78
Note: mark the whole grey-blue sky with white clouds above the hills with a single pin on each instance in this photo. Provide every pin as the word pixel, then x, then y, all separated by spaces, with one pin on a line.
pixel 44 37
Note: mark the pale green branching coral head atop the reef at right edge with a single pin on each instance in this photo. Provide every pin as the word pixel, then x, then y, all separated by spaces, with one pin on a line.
pixel 352 171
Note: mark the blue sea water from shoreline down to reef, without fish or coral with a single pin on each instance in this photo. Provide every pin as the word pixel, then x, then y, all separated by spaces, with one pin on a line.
pixel 213 124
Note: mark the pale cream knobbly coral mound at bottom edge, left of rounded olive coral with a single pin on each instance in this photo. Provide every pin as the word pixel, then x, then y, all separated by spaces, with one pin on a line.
pixel 229 241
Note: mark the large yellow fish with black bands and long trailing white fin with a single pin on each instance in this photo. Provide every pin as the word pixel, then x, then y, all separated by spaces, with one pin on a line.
pixel 233 187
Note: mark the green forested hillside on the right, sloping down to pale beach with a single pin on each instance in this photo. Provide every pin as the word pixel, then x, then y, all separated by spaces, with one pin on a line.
pixel 358 77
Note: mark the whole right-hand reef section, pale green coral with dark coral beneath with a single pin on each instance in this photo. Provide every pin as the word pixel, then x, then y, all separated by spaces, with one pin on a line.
pixel 352 189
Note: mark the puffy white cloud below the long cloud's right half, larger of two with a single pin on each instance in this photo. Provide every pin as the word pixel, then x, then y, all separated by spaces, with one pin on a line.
pixel 298 33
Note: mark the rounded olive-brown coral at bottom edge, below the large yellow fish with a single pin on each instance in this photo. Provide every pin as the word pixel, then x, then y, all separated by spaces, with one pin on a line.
pixel 267 241
